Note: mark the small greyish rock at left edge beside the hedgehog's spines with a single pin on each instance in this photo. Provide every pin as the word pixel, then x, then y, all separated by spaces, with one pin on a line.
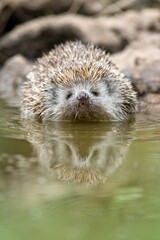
pixel 11 76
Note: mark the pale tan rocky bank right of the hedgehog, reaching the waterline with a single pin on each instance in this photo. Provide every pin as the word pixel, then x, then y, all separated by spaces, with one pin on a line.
pixel 141 62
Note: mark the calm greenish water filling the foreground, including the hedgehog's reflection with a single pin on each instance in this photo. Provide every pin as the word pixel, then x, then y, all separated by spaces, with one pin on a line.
pixel 79 181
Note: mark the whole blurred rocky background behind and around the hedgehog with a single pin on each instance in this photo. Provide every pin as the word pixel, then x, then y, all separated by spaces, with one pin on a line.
pixel 128 29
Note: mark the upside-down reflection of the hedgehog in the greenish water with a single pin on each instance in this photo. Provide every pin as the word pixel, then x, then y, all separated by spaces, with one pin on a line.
pixel 72 154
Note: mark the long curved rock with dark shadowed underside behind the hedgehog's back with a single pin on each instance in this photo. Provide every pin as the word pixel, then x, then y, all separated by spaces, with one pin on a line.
pixel 41 34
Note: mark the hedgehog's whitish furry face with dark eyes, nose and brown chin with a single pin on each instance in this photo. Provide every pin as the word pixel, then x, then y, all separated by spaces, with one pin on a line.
pixel 86 100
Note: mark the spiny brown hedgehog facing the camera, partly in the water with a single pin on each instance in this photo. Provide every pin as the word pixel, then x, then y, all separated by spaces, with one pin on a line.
pixel 77 82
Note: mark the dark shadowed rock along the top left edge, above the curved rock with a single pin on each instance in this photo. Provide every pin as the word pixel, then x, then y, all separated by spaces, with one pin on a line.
pixel 16 12
